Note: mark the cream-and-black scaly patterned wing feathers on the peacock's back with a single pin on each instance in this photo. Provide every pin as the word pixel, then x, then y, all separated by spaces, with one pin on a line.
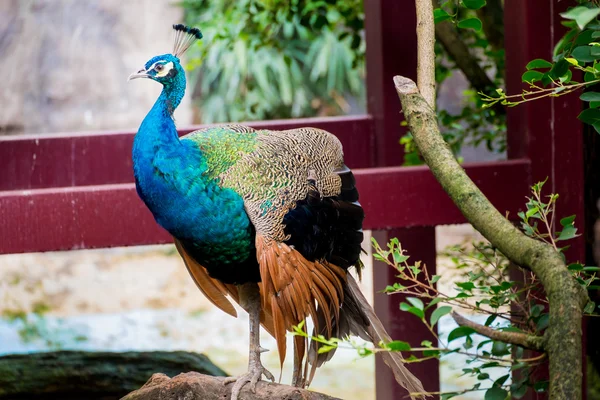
pixel 279 171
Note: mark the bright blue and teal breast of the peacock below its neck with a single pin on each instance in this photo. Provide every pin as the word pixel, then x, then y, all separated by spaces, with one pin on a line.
pixel 171 180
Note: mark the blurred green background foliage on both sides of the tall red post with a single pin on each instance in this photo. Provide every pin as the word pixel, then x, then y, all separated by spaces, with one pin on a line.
pixel 300 58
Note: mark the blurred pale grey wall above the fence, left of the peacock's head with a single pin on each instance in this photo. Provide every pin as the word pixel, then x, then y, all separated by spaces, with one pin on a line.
pixel 65 63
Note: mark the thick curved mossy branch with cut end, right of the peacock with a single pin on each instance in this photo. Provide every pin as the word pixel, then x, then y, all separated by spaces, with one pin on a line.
pixel 566 297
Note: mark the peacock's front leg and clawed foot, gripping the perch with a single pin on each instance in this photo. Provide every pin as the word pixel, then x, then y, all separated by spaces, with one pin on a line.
pixel 250 301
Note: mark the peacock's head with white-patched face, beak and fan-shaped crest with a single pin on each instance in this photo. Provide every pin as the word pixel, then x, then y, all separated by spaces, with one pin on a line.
pixel 166 69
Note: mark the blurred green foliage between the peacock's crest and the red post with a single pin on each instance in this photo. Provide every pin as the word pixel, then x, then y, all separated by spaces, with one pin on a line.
pixel 277 58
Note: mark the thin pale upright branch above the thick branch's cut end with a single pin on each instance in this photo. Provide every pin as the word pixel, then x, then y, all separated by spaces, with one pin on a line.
pixel 426 51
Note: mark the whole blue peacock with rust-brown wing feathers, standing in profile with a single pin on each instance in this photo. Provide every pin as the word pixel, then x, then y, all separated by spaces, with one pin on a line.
pixel 268 219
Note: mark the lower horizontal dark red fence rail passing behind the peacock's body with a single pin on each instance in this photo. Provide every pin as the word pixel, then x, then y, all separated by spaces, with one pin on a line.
pixel 112 215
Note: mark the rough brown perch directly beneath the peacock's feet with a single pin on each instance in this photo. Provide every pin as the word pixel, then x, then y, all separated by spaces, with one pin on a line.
pixel 195 386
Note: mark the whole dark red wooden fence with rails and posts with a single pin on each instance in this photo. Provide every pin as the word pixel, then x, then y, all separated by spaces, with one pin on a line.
pixel 75 191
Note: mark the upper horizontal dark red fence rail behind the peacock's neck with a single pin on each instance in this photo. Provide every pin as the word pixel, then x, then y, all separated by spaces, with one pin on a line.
pixel 63 160
